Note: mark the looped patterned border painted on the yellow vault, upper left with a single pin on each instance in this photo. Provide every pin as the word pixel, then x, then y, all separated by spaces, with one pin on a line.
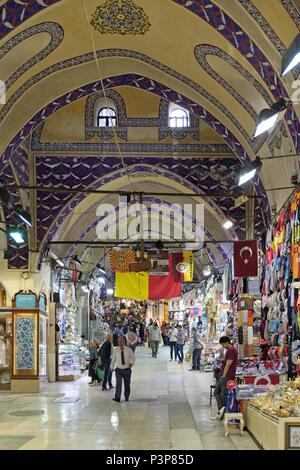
pixel 56 34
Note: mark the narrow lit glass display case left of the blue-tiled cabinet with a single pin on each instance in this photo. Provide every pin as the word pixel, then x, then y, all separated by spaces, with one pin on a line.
pixel 5 350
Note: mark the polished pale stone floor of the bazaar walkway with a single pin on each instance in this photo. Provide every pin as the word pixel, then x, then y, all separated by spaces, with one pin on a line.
pixel 169 409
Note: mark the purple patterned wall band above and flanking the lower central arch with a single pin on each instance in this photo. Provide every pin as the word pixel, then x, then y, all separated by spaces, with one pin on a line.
pixel 197 175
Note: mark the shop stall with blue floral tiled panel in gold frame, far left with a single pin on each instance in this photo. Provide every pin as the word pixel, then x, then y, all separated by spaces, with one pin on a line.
pixel 23 343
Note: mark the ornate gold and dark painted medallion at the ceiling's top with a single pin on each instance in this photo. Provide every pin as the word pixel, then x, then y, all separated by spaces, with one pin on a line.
pixel 120 17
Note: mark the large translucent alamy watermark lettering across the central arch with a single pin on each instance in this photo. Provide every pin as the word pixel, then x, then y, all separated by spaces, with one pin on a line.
pixel 151 221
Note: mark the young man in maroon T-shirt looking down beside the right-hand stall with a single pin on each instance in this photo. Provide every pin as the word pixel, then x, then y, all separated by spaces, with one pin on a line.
pixel 228 372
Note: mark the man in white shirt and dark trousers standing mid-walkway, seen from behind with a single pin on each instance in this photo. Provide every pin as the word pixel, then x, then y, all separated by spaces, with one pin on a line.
pixel 122 361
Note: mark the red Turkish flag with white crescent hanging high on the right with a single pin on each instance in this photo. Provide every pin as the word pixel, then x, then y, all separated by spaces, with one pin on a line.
pixel 245 255
